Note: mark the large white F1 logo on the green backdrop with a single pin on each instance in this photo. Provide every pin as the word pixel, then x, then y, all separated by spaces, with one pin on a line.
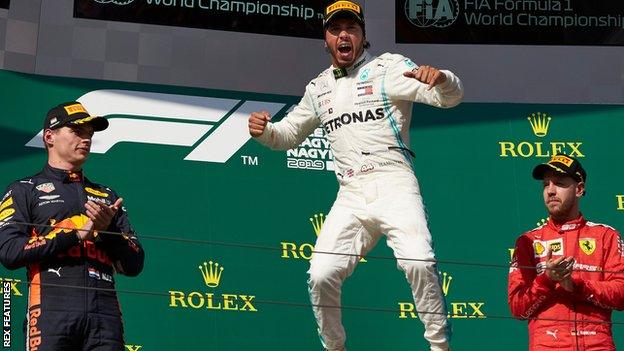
pixel 180 120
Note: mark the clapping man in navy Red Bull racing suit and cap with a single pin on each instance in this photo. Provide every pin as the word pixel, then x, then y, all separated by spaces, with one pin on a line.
pixel 49 223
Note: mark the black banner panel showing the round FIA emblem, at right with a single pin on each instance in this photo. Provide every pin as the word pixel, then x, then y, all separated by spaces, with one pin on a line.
pixel 522 22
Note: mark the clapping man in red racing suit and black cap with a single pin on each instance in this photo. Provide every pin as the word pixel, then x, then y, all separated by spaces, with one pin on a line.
pixel 568 274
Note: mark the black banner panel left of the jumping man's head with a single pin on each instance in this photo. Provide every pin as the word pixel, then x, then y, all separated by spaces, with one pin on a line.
pixel 294 18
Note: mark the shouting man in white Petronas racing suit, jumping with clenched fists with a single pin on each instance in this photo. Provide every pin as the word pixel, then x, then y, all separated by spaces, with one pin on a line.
pixel 364 104
